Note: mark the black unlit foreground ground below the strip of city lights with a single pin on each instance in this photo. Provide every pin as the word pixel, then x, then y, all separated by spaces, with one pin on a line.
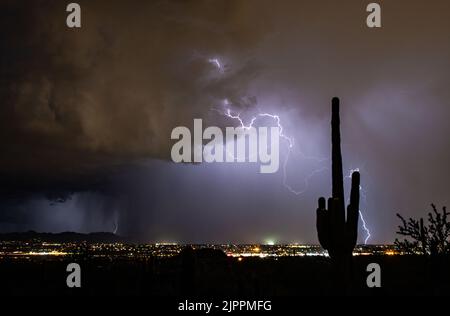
pixel 213 274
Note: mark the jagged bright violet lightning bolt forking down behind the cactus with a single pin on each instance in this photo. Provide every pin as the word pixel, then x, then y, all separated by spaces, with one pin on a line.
pixel 290 142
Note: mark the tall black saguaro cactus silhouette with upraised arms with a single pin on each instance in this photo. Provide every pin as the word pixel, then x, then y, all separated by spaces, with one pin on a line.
pixel 337 234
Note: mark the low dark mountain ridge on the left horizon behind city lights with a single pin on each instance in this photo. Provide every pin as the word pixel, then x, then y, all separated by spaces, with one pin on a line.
pixel 99 237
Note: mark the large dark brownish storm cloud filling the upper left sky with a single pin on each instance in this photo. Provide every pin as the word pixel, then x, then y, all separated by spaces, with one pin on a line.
pixel 77 102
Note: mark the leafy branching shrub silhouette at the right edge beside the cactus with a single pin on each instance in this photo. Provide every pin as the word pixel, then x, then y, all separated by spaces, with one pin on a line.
pixel 430 239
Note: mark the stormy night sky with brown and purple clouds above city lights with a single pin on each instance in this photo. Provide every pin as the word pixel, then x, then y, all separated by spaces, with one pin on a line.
pixel 86 114
